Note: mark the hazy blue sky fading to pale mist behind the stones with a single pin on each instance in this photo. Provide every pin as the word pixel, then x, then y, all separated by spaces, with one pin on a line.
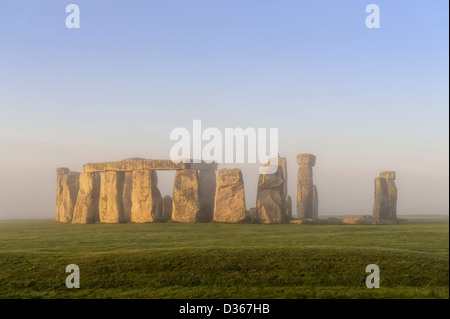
pixel 363 100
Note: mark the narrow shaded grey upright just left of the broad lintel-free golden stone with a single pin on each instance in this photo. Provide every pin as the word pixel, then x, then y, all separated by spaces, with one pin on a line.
pixel 207 192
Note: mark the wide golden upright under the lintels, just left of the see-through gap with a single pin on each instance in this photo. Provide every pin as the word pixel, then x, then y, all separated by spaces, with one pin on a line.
pixel 147 203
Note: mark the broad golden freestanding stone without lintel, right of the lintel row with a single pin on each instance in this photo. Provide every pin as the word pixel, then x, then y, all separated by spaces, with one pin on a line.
pixel 229 205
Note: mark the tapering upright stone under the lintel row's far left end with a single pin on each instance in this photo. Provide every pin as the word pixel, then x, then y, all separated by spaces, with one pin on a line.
pixel 86 207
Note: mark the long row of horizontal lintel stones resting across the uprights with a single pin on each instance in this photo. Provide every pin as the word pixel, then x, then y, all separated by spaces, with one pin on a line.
pixel 134 164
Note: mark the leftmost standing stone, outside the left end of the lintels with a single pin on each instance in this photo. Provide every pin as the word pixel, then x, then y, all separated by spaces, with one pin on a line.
pixel 68 196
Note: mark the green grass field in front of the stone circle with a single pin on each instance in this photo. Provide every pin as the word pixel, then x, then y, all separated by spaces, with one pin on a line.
pixel 211 260
